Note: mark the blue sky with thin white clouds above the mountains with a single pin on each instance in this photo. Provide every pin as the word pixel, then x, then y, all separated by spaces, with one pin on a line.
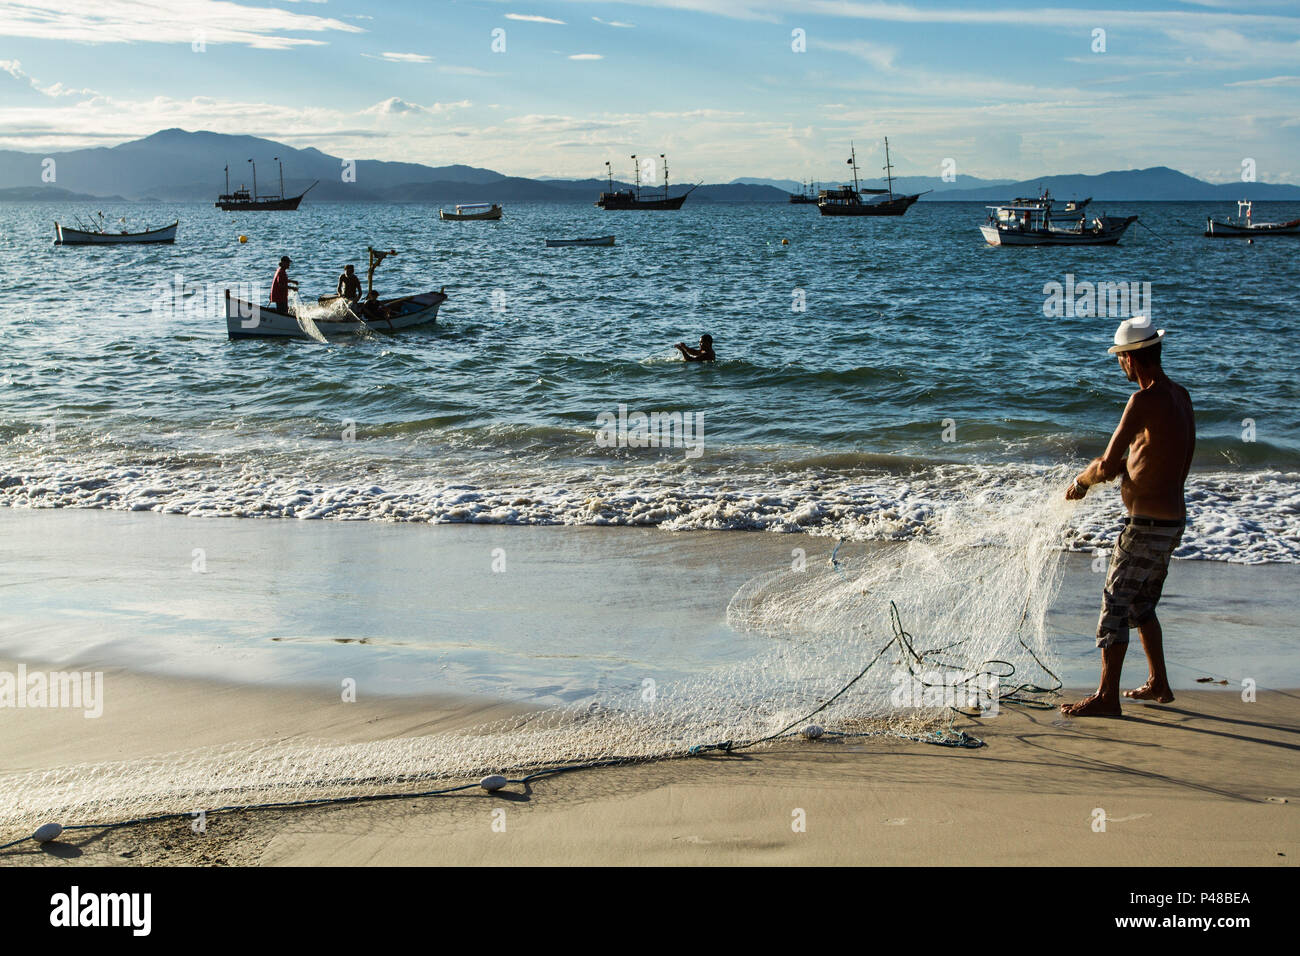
pixel 725 88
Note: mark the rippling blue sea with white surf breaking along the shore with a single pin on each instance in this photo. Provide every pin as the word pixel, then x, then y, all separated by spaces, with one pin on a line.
pixel 869 370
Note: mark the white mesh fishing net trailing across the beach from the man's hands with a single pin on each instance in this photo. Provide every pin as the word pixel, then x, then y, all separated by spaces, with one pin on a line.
pixel 882 643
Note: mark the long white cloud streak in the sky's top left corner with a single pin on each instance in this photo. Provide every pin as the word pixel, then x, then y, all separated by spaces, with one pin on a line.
pixel 163 21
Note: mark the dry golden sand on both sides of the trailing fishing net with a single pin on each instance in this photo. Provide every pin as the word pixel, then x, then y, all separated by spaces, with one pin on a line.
pixel 1206 781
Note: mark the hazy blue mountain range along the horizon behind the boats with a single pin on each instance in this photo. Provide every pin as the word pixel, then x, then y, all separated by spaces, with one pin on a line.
pixel 179 166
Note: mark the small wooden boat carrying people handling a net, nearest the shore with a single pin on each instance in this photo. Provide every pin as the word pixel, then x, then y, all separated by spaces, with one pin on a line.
pixel 250 321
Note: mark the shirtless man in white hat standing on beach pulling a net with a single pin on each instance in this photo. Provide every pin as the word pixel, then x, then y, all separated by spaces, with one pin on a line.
pixel 1159 432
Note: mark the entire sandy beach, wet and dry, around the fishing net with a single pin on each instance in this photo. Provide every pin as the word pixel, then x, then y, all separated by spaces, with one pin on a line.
pixel 1207 781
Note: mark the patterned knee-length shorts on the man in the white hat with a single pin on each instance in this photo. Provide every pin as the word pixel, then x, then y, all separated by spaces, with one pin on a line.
pixel 1137 577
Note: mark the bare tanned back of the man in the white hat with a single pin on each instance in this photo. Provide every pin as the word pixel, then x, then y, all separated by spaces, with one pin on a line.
pixel 1160 453
